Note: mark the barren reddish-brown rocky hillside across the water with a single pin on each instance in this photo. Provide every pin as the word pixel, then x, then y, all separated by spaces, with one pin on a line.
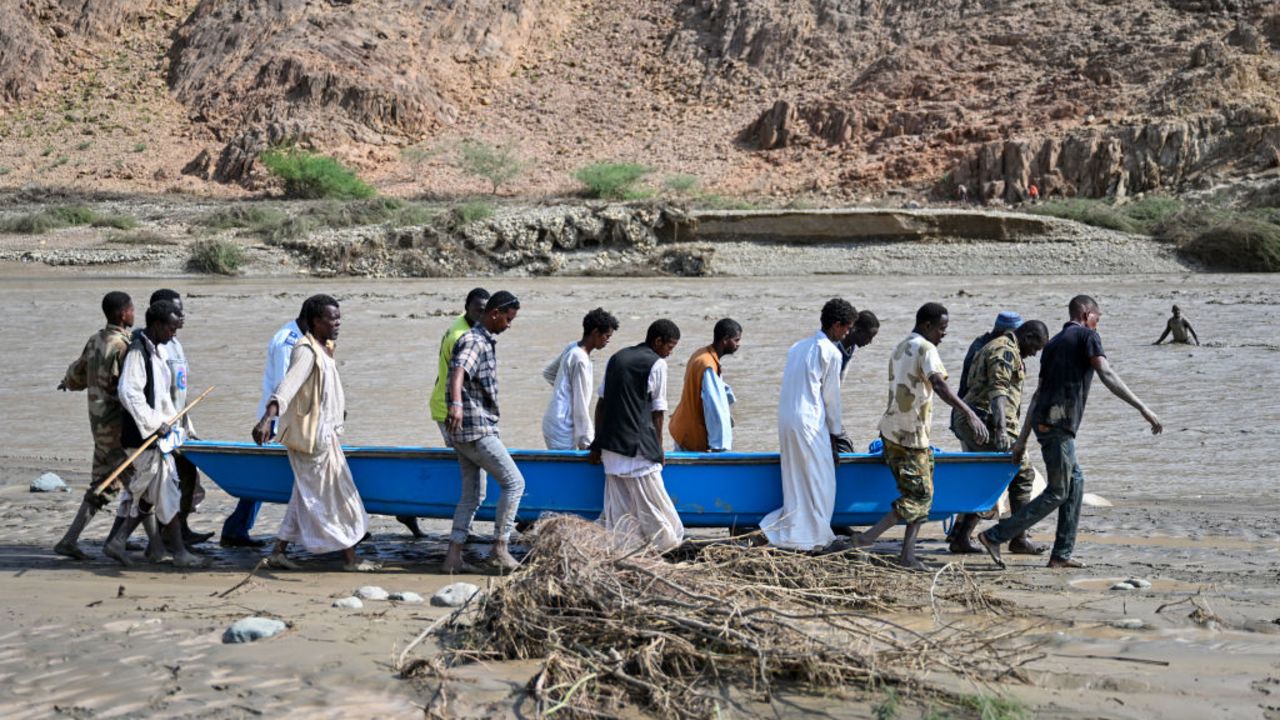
pixel 833 99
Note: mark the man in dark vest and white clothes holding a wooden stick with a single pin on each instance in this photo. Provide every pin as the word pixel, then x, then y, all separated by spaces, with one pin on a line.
pixel 154 498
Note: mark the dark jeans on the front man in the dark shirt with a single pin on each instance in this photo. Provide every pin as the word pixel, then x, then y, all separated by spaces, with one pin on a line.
pixel 1066 493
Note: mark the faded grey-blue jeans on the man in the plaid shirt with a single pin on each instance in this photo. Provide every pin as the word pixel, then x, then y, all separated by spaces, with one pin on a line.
pixel 491 455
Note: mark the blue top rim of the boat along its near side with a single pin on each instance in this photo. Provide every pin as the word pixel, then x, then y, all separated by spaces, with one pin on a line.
pixel 711 459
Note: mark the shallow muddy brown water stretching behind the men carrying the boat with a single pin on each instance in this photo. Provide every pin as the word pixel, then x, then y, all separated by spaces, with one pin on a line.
pixel 1223 423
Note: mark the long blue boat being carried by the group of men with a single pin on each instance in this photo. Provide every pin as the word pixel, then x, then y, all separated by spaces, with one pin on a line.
pixel 719 490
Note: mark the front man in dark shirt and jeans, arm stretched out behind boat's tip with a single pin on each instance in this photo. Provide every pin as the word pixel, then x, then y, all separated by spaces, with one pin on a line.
pixel 1068 366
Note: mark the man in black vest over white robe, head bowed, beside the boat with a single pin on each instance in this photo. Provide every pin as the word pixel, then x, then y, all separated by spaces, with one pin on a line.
pixel 629 418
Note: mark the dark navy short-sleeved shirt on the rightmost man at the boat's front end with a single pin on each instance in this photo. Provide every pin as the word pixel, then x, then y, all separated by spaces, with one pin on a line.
pixel 1067 372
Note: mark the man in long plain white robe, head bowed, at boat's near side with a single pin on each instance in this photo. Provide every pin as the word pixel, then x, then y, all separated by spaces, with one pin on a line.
pixel 810 421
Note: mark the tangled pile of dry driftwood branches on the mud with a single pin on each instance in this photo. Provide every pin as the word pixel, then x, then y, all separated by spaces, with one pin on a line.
pixel 620 630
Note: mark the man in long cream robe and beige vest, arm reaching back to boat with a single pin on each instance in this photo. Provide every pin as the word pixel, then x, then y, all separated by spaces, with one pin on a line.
pixel 326 513
